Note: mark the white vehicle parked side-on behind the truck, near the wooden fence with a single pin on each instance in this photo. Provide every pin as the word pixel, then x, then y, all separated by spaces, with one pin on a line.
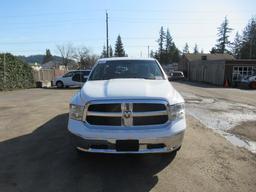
pixel 72 78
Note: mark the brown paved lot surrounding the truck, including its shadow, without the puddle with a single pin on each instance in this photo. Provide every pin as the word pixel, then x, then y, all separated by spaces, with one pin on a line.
pixel 35 154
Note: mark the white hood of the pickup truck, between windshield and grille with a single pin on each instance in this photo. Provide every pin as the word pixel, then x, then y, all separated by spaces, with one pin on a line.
pixel 130 89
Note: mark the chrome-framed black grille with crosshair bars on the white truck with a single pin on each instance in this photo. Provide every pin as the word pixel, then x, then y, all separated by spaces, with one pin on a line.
pixel 134 113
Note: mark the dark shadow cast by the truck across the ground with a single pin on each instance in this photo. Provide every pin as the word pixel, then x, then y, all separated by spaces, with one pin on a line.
pixel 45 161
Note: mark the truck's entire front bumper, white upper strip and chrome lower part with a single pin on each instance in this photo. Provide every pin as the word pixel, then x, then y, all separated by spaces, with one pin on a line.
pixel 162 140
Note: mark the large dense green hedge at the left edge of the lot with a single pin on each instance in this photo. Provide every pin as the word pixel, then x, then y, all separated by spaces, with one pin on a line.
pixel 17 73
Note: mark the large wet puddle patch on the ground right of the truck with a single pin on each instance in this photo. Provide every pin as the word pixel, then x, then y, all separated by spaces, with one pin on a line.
pixel 221 115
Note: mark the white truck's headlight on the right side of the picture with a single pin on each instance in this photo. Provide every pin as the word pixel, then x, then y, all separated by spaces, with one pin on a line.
pixel 176 111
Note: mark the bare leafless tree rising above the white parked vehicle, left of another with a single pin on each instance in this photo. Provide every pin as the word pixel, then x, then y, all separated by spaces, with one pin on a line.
pixel 67 53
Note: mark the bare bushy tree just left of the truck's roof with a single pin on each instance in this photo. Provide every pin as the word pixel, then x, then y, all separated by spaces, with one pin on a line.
pixel 84 58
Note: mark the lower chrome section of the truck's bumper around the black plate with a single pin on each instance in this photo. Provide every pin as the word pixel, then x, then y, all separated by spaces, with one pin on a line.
pixel 159 145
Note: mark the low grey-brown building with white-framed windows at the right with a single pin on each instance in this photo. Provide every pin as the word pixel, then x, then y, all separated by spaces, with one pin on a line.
pixel 216 68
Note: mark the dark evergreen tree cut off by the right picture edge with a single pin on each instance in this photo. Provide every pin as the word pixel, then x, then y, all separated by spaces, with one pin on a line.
pixel 248 48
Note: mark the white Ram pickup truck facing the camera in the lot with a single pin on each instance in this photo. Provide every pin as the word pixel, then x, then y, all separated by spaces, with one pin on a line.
pixel 127 106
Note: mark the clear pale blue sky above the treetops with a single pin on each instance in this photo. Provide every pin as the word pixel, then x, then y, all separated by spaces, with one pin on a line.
pixel 29 27
